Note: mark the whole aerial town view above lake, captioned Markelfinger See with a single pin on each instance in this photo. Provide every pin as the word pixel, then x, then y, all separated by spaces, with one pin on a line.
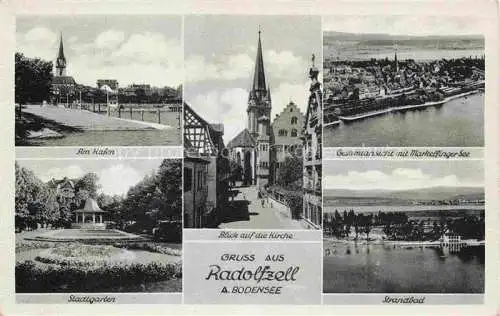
pixel 404 89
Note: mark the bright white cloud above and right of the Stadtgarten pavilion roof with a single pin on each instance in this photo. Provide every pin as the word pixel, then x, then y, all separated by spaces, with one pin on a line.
pixel 117 179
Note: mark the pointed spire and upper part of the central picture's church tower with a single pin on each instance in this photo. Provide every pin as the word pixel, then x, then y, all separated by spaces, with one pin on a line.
pixel 259 98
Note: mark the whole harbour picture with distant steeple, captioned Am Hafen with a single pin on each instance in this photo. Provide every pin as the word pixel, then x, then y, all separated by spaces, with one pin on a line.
pixel 81 82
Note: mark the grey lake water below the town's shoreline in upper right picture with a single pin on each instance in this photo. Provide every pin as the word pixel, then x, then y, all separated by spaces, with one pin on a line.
pixel 458 123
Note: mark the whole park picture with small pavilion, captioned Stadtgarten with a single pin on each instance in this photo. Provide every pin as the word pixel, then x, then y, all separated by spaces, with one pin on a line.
pixel 94 225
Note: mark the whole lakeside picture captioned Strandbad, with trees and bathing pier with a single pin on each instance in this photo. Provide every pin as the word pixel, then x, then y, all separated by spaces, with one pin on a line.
pixel 404 227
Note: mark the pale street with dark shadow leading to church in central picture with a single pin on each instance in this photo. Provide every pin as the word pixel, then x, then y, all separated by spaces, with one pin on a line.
pixel 247 212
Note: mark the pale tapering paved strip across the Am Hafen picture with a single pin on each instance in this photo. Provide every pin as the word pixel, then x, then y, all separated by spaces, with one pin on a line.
pixel 89 121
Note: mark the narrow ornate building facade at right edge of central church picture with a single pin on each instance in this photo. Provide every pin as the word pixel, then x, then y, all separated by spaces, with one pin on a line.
pixel 312 163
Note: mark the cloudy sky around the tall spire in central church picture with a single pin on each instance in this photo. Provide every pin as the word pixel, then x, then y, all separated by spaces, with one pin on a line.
pixel 220 56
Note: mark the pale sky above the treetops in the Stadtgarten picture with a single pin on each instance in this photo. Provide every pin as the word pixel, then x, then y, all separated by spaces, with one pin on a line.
pixel 116 176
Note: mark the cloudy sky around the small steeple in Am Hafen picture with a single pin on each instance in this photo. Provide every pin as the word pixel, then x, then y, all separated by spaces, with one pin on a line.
pixel 131 49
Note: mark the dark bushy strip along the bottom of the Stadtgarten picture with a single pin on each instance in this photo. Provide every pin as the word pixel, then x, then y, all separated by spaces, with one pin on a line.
pixel 32 278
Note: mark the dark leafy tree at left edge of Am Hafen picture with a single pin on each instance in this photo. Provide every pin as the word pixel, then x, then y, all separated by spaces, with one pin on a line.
pixel 33 78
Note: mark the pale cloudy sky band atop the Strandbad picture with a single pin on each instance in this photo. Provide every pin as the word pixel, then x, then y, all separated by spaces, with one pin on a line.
pixel 401 175
